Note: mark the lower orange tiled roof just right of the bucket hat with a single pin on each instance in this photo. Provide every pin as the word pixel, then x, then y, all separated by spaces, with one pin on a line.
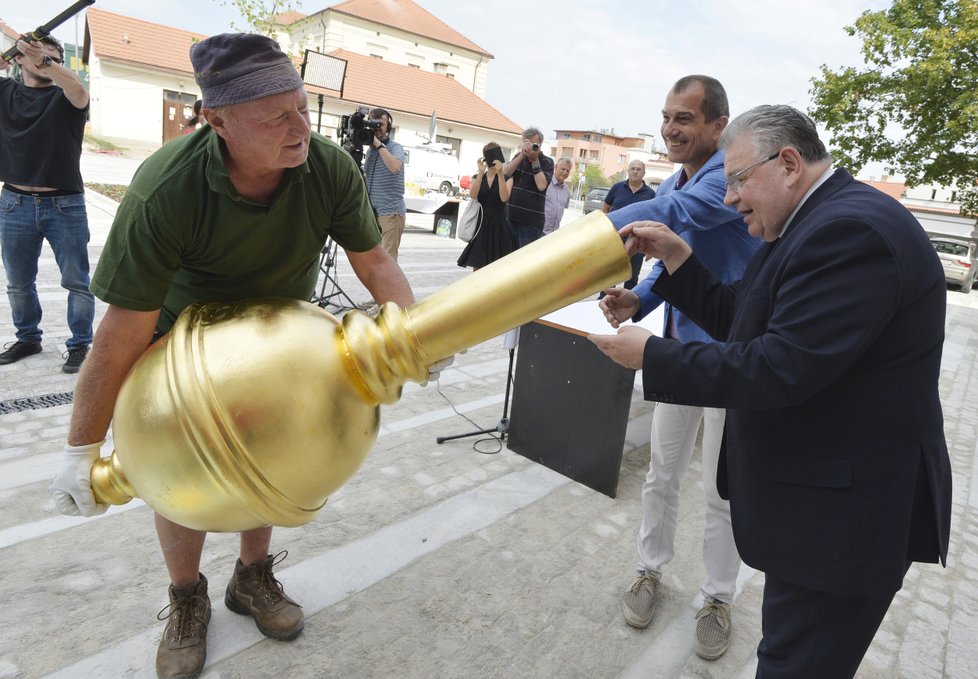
pixel 368 82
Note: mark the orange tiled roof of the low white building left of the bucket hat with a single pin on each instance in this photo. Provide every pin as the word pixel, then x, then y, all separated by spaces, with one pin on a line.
pixel 121 38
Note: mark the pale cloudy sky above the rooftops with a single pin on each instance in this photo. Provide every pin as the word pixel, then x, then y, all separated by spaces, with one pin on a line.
pixel 590 64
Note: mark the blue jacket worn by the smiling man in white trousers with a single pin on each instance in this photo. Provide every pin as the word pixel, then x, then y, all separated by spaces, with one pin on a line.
pixel 715 231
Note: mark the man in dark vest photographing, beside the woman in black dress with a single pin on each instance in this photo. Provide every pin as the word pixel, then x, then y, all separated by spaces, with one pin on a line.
pixel 531 172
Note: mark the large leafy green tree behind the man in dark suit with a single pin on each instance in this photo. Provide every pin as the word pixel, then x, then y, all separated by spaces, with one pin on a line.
pixel 914 105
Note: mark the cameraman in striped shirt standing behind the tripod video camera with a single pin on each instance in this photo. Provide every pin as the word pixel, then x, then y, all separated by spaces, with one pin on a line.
pixel 384 171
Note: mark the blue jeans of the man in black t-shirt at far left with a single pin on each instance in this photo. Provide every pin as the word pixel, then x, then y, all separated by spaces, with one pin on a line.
pixel 25 222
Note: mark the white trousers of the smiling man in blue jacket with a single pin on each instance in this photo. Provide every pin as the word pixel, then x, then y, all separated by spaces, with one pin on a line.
pixel 674 431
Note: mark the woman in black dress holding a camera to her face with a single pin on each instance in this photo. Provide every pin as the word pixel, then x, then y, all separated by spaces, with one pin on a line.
pixel 494 239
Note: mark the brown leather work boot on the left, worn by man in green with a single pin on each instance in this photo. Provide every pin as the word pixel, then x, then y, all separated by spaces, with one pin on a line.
pixel 183 648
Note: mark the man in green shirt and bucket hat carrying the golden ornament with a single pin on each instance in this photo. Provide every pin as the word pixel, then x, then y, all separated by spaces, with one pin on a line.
pixel 241 208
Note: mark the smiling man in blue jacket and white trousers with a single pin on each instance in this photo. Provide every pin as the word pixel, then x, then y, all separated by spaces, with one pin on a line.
pixel 691 202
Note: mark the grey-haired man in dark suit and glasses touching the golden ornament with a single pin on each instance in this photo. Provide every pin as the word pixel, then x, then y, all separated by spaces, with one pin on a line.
pixel 834 461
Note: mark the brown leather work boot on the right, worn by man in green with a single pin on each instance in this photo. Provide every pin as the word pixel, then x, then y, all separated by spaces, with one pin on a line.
pixel 254 591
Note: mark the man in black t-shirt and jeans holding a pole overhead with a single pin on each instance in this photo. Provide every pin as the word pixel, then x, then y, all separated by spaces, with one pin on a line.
pixel 42 121
